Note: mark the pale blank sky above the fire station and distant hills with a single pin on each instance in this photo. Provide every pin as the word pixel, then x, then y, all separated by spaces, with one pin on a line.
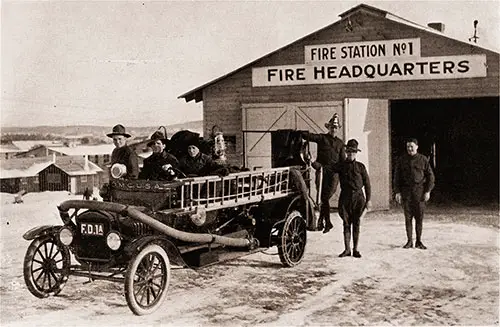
pixel 108 62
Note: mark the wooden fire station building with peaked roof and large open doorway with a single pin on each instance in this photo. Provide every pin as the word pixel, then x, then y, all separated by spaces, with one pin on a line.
pixel 388 79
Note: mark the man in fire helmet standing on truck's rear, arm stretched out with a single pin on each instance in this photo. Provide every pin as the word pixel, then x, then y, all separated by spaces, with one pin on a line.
pixel 330 152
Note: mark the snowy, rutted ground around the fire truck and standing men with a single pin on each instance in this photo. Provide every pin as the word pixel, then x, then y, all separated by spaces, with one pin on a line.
pixel 454 282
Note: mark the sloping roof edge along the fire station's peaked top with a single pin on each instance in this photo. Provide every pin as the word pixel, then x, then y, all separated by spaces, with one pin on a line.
pixel 197 93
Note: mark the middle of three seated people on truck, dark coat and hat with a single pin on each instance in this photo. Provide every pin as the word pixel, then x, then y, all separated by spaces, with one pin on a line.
pixel 158 166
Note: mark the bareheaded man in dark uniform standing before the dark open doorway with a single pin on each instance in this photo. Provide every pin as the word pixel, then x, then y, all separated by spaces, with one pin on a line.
pixel 412 183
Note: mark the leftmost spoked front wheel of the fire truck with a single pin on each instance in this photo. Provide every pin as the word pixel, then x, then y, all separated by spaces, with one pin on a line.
pixel 46 267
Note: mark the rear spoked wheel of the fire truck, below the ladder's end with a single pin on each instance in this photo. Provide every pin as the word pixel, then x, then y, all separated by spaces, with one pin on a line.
pixel 293 238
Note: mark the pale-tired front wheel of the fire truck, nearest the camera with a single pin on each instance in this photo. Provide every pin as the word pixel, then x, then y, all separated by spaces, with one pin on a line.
pixel 147 280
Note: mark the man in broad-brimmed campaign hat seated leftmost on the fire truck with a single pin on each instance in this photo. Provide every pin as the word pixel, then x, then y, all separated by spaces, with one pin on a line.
pixel 122 153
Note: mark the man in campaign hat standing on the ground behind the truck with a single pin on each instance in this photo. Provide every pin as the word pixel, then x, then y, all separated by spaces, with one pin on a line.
pixel 352 202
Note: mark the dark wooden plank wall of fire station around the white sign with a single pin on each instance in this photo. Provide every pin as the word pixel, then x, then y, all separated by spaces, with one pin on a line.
pixel 222 101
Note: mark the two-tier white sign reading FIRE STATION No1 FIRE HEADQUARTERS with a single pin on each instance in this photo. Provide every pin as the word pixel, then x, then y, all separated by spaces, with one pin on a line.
pixel 380 61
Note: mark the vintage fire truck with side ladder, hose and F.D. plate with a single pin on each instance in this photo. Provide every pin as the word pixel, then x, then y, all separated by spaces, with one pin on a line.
pixel 143 227
